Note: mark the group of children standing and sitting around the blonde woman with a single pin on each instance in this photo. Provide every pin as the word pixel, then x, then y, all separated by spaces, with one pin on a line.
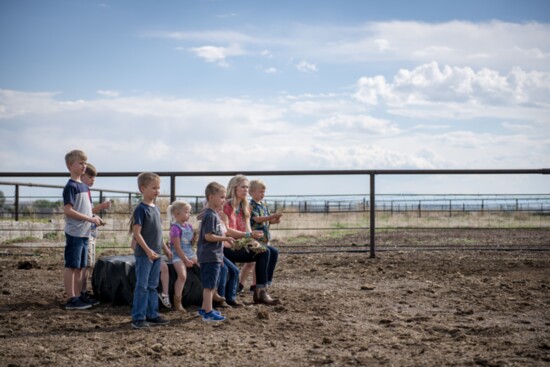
pixel 219 276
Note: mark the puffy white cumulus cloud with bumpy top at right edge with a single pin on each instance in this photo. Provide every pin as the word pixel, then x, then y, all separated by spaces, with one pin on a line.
pixel 459 92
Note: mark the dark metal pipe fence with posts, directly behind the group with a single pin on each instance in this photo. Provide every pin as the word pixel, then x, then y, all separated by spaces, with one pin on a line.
pixel 370 173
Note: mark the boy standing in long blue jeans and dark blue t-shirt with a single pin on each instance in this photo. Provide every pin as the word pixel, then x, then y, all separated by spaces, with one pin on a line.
pixel 146 228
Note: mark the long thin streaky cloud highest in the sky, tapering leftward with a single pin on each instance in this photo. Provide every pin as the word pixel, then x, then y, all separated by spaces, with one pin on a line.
pixel 494 44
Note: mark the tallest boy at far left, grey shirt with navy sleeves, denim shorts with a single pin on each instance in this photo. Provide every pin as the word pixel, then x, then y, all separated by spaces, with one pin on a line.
pixel 78 222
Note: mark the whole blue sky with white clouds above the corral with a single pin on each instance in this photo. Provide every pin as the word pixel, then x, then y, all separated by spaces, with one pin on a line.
pixel 199 85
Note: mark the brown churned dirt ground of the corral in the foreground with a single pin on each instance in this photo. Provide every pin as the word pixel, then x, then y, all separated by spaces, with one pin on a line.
pixel 403 308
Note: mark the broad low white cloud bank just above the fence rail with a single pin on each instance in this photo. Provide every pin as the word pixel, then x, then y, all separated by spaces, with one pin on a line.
pixel 291 132
